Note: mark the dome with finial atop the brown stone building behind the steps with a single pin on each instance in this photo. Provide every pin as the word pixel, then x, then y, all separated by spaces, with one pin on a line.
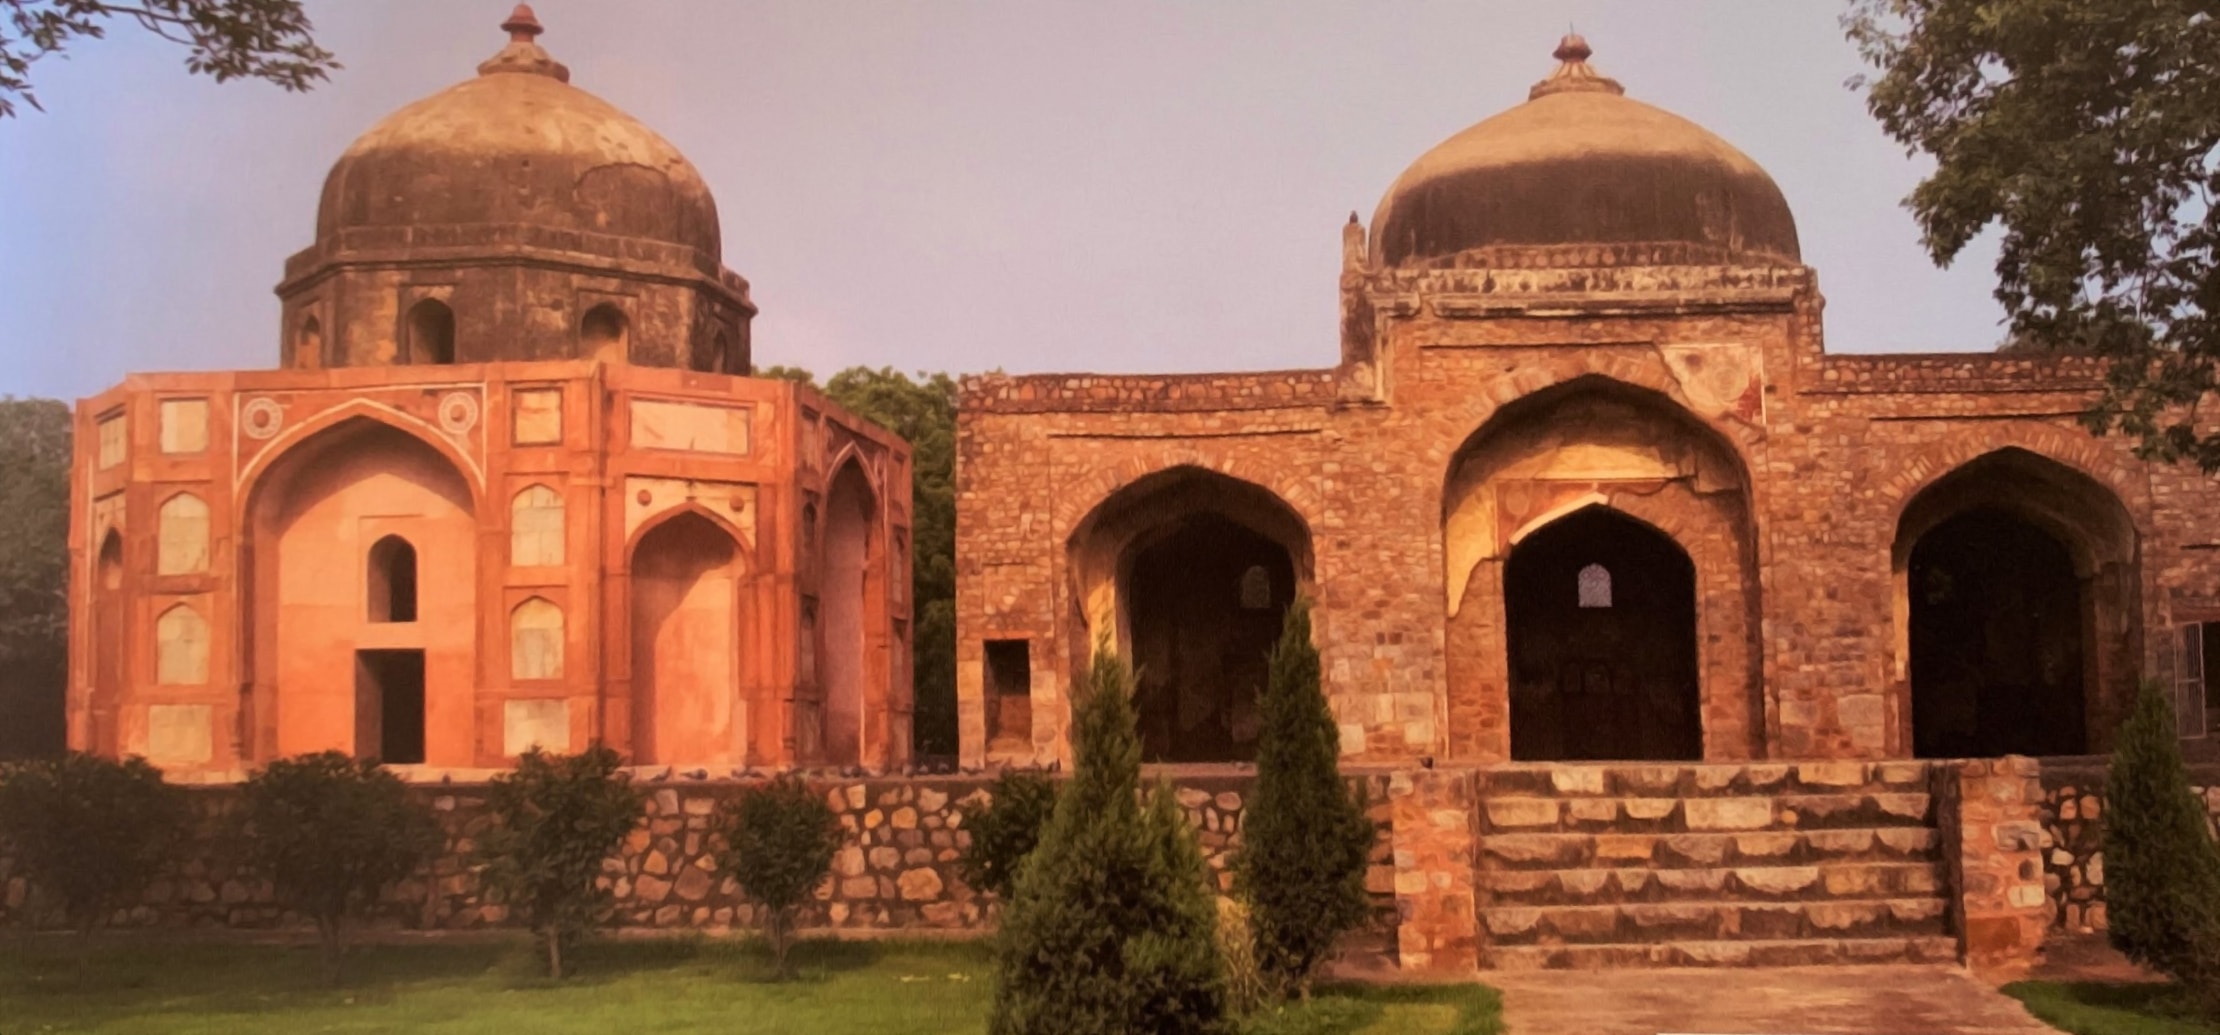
pixel 1584 165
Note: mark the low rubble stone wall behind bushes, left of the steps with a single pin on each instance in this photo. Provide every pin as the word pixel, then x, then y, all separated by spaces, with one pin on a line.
pixel 896 872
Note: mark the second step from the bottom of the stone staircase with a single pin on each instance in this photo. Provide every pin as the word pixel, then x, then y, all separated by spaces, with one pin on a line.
pixel 1648 923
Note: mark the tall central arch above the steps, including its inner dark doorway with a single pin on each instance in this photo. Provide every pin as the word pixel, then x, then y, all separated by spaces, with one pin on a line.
pixel 1622 494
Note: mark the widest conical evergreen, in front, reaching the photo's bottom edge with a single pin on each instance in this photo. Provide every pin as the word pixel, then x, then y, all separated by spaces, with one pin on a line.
pixel 1111 927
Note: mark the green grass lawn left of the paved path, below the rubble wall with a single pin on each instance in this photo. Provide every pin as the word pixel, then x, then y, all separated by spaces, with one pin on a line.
pixel 665 987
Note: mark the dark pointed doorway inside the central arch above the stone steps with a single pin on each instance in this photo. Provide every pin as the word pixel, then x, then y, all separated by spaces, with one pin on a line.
pixel 1602 623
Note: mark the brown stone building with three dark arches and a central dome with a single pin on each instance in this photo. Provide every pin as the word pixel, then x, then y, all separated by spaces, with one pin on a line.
pixel 1584 485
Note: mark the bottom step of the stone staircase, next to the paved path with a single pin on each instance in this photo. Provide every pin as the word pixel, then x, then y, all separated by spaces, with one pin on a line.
pixel 1808 952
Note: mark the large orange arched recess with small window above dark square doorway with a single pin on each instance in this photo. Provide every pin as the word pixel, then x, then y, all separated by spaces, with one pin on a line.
pixel 350 650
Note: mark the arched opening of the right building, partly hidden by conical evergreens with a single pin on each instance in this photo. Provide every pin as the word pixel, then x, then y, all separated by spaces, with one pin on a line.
pixel 1193 574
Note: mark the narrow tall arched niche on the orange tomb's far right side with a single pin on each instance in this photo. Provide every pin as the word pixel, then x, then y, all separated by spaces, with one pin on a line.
pixel 842 614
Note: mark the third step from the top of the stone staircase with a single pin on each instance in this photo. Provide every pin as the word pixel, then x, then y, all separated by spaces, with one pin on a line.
pixel 1566 852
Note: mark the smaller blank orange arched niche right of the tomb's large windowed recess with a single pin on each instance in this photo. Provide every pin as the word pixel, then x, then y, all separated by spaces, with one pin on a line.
pixel 685 643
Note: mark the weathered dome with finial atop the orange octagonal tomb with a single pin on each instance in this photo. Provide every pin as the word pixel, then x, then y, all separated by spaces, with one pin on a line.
pixel 521 145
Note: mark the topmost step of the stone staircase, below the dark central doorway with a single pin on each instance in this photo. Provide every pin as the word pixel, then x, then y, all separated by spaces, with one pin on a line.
pixel 1704 781
